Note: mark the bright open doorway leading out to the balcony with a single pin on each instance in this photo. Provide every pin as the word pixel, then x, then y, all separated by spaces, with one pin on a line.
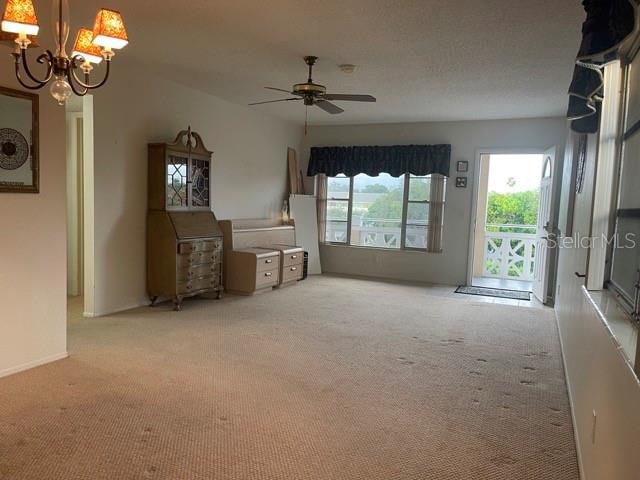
pixel 512 198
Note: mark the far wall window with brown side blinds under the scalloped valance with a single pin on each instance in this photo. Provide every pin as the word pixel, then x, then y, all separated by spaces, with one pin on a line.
pixel 385 211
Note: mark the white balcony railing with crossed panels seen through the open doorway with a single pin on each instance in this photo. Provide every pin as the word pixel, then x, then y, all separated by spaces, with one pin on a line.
pixel 509 252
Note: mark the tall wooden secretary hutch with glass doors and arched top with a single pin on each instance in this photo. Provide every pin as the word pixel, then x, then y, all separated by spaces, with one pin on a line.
pixel 184 241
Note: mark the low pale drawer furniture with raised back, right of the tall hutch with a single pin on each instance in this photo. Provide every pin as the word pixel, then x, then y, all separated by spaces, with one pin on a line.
pixel 253 254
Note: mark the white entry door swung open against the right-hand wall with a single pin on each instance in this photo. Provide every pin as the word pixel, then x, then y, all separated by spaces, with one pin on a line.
pixel 544 227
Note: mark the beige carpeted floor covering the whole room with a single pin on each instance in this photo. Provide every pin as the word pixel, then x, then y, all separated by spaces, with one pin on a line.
pixel 334 378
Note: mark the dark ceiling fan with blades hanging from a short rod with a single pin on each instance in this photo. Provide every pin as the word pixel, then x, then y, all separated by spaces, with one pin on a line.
pixel 314 94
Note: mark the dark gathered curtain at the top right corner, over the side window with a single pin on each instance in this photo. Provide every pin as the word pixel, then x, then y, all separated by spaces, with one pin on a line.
pixel 609 23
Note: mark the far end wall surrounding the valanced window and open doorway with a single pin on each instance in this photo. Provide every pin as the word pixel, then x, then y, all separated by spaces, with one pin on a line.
pixel 466 138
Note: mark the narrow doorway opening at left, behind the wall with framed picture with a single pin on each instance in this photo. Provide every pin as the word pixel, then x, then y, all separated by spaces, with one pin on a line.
pixel 79 169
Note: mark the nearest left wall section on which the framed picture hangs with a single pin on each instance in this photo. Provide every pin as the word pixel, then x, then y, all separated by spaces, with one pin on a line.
pixel 33 254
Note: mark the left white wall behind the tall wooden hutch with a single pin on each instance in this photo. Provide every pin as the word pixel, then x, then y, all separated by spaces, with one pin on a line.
pixel 248 175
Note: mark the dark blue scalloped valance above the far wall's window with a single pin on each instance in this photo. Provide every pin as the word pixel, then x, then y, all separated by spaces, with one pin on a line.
pixel 395 160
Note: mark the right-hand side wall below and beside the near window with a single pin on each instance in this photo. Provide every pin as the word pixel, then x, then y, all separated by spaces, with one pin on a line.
pixel 598 378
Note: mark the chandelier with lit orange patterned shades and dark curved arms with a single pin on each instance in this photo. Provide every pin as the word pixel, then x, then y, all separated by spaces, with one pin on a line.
pixel 70 75
